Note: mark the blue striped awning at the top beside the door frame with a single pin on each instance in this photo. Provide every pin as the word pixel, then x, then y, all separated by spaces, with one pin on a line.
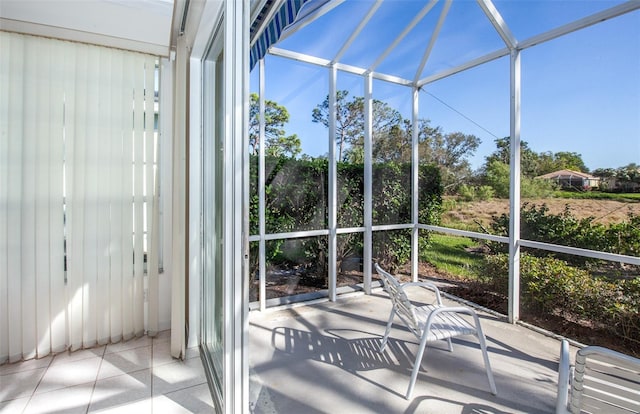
pixel 284 18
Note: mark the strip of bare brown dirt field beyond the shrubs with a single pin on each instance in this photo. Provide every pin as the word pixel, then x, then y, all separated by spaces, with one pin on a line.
pixel 602 211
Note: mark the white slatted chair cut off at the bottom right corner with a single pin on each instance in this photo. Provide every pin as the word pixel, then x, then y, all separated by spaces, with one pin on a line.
pixel 602 381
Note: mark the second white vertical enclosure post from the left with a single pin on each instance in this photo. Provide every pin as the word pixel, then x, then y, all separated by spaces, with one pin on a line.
pixel 332 245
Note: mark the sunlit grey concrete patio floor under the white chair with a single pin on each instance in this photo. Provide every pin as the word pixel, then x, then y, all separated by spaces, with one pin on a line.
pixel 323 358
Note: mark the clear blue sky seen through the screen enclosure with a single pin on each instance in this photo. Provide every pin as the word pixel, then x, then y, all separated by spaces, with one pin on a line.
pixel 580 92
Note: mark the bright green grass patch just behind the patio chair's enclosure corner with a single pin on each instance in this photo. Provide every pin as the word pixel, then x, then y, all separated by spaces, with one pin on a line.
pixel 453 255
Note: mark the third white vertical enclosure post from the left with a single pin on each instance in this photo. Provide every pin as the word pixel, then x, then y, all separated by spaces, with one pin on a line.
pixel 368 179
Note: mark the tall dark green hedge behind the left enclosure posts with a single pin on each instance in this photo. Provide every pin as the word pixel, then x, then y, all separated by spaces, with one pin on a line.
pixel 296 195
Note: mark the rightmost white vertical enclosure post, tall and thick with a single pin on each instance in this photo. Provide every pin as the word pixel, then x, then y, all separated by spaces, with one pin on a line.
pixel 514 192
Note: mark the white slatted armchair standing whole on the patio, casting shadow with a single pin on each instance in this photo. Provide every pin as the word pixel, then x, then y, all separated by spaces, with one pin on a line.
pixel 430 323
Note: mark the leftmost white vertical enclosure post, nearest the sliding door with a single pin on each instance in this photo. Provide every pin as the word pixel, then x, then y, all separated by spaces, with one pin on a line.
pixel 262 272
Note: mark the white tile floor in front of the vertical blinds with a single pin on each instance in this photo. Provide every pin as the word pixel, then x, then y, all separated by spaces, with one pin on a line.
pixel 137 376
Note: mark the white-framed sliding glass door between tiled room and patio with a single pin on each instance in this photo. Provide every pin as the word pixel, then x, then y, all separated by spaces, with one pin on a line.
pixel 224 207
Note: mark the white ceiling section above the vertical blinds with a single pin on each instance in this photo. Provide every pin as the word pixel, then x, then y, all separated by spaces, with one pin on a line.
pixel 139 25
